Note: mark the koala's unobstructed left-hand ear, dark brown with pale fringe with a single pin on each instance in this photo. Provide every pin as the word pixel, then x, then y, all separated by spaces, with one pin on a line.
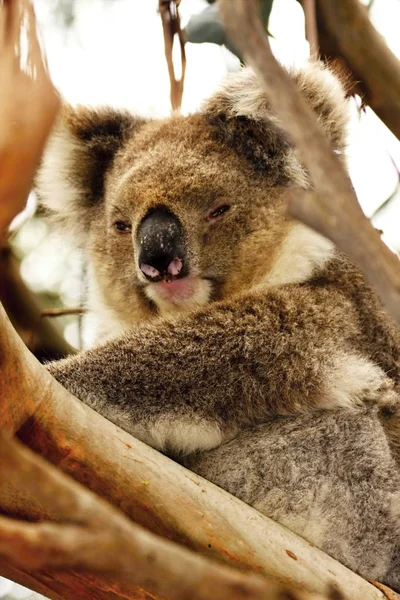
pixel 80 150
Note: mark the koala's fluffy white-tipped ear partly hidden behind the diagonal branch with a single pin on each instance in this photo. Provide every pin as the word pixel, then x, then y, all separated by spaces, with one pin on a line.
pixel 242 113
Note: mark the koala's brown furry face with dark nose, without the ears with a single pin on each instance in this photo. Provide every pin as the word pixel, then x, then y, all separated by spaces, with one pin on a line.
pixel 183 221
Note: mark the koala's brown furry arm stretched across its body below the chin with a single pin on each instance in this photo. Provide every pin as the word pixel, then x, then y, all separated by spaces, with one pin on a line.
pixel 190 384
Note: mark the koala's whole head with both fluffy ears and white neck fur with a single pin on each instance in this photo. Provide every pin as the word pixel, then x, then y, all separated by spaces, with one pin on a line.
pixel 176 213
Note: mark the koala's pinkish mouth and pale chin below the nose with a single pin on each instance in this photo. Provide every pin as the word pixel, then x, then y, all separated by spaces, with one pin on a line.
pixel 180 293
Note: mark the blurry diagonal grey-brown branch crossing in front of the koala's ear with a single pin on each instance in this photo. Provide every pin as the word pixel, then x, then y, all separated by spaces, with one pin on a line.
pixel 333 208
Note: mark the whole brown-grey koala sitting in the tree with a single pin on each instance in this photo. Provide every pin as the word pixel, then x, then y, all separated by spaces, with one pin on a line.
pixel 229 336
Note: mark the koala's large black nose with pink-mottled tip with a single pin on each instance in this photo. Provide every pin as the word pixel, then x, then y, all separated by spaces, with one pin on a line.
pixel 162 251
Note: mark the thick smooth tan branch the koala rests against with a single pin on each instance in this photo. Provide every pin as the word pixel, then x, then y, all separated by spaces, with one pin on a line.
pixel 148 487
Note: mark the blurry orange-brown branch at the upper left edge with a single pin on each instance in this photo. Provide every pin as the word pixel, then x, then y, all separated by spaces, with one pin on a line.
pixel 24 125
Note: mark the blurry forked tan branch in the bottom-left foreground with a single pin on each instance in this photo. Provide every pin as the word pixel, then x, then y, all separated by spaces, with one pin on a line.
pixel 98 539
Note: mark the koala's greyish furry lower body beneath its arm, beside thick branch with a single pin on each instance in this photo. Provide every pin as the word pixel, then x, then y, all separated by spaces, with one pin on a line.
pixel 328 476
